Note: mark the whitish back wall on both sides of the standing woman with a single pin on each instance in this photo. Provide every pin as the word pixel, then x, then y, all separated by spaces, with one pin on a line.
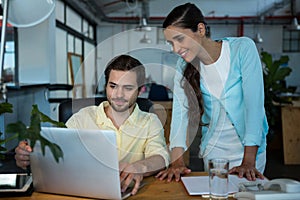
pixel 114 40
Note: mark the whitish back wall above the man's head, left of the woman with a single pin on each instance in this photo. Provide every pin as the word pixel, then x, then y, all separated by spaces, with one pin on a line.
pixel 117 40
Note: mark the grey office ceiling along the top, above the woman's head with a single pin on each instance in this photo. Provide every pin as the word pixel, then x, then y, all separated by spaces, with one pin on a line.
pixel 131 11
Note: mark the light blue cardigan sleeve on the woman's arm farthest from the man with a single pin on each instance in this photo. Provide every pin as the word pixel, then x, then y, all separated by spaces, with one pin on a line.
pixel 253 91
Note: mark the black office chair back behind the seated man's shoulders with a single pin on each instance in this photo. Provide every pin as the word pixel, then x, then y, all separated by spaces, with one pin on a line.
pixel 68 107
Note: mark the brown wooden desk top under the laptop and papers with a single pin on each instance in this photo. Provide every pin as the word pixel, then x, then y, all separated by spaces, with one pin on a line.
pixel 154 189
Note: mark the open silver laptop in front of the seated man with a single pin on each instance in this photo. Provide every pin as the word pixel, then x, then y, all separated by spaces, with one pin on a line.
pixel 89 168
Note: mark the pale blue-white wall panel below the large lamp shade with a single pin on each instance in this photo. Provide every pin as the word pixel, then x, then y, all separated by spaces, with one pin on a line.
pixel 37 52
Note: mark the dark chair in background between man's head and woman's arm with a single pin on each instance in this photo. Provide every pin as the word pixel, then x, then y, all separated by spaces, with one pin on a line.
pixel 158 93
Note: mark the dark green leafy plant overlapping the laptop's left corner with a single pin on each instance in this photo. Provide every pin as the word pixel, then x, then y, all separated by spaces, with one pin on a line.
pixel 32 132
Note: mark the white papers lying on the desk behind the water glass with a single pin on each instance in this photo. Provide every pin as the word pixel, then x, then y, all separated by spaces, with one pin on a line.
pixel 199 185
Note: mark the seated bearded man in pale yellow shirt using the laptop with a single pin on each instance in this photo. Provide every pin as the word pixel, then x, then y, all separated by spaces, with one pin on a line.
pixel 140 137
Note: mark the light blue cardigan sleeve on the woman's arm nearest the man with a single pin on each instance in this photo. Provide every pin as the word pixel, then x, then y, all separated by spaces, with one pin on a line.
pixel 179 123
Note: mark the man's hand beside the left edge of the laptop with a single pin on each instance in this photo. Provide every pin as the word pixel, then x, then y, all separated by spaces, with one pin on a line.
pixel 22 154
